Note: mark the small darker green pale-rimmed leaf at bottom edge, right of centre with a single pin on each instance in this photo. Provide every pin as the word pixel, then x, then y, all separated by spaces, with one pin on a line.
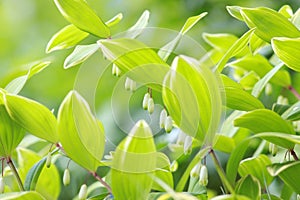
pixel 249 186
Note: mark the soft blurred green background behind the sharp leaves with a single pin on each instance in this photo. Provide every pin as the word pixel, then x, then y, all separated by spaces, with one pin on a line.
pixel 27 26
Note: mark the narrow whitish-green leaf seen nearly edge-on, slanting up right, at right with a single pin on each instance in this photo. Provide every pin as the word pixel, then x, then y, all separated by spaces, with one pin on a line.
pixel 259 86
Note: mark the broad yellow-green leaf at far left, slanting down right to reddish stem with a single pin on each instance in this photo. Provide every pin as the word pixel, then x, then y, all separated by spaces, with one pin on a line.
pixel 32 116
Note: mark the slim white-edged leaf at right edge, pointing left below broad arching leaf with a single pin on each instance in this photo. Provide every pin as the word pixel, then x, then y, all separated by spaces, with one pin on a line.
pixel 284 140
